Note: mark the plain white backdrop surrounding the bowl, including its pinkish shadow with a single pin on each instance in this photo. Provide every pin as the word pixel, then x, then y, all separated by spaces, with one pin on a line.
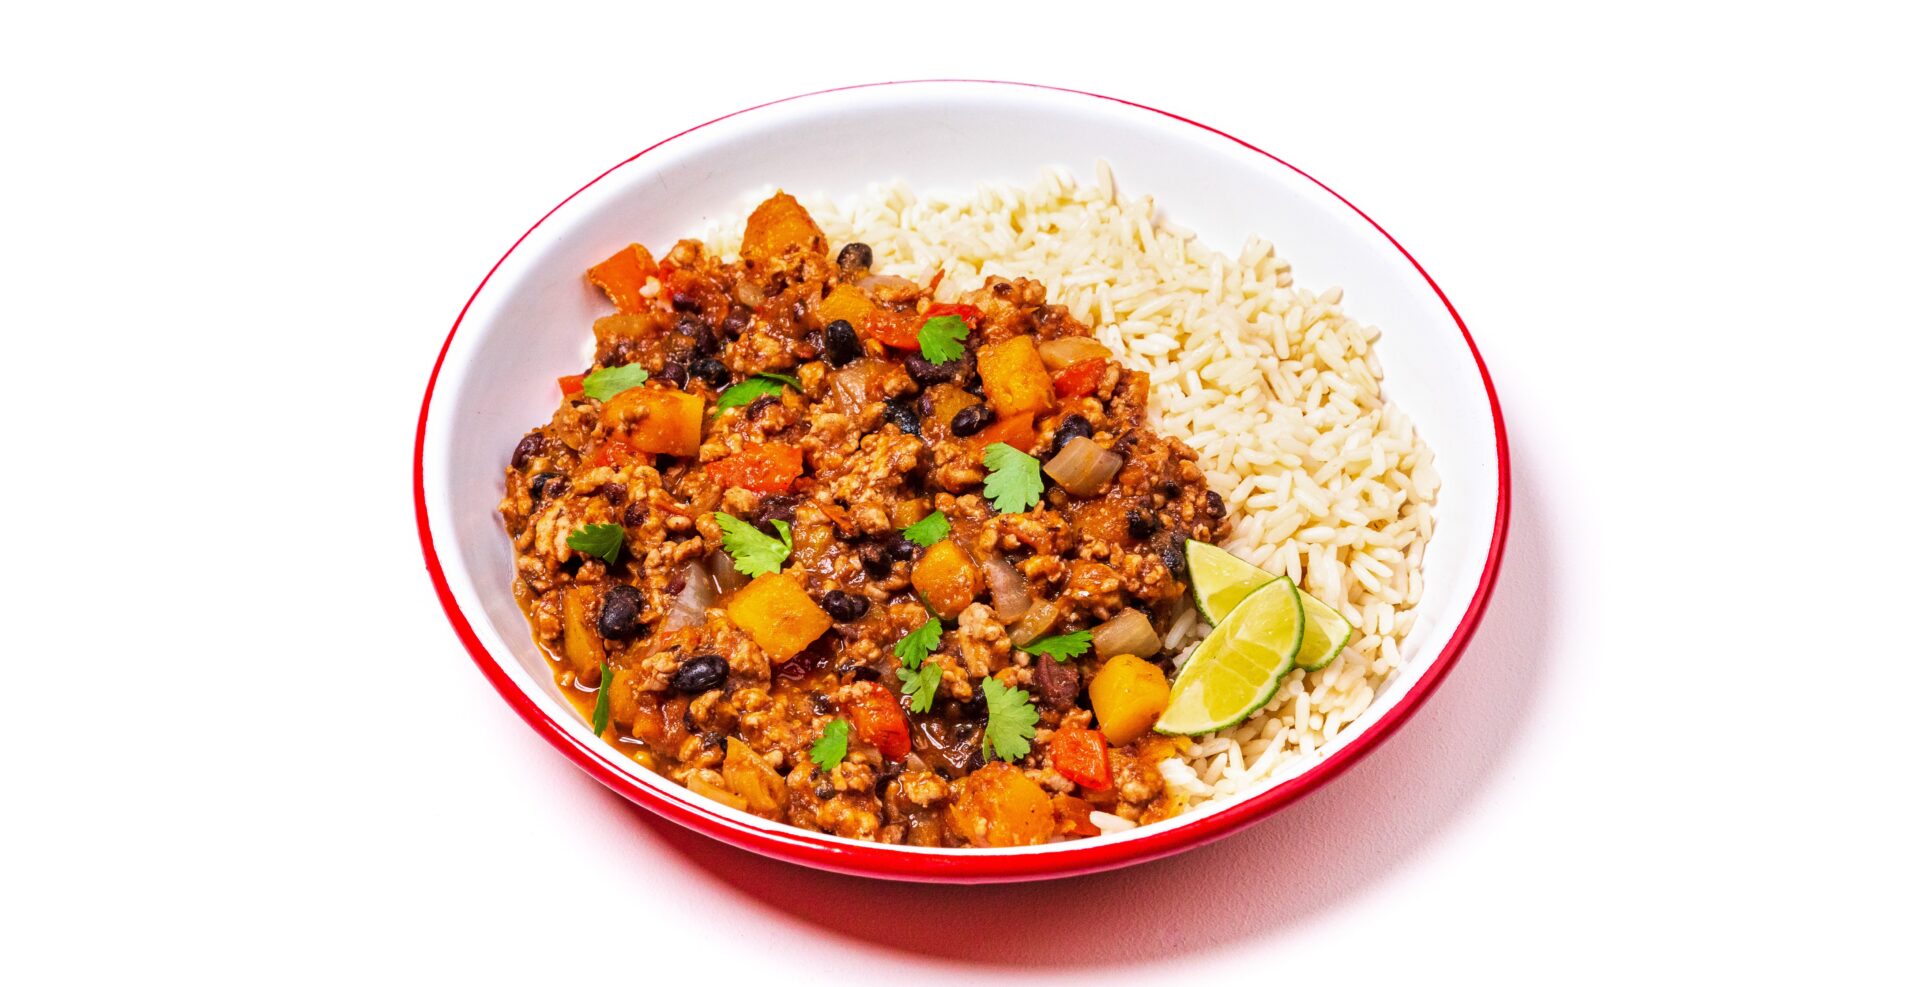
pixel 241 742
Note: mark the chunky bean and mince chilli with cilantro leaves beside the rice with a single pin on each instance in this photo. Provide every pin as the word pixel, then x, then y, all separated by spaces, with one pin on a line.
pixel 853 560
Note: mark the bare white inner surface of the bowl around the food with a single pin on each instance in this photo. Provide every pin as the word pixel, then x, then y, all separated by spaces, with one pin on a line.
pixel 533 320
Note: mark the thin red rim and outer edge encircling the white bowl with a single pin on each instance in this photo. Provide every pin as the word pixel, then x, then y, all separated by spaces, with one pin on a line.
pixel 963 867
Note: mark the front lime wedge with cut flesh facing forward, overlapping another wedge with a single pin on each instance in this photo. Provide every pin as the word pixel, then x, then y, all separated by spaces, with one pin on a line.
pixel 1239 667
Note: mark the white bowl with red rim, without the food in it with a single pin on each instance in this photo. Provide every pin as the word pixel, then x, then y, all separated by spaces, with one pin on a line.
pixel 527 324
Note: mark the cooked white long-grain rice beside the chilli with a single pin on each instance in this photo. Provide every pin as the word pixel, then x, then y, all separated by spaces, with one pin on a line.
pixel 1272 385
